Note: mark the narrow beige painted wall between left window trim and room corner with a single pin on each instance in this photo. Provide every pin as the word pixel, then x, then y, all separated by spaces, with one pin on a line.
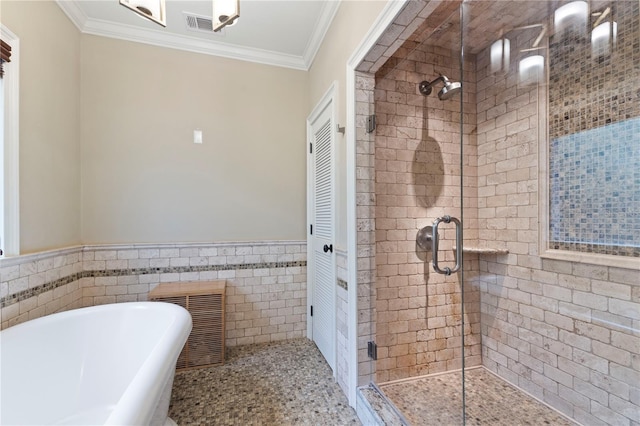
pixel 49 123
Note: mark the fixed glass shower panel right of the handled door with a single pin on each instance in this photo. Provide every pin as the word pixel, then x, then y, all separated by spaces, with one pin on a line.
pixel 550 207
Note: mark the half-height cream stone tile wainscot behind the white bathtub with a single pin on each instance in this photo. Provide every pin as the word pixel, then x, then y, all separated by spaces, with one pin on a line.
pixel 266 282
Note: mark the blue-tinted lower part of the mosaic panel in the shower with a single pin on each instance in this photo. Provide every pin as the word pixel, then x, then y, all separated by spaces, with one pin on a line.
pixel 595 186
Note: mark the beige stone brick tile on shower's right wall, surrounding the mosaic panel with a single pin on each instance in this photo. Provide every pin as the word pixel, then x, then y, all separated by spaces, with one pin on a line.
pixel 566 332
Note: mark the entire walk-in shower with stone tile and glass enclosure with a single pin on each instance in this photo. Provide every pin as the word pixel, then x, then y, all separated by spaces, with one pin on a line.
pixel 499 271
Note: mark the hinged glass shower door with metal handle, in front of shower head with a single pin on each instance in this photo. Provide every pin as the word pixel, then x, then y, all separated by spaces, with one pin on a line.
pixel 417 298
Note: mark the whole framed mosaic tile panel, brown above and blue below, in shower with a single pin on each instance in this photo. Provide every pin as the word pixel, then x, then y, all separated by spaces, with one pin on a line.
pixel 594 131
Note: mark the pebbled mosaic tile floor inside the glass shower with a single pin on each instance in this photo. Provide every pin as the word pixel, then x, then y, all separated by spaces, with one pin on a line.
pixel 437 400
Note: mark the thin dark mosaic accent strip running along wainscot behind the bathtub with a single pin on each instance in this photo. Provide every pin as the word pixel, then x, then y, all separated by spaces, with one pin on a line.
pixel 35 291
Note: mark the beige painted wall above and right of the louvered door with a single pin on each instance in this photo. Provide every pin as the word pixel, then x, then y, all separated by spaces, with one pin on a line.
pixel 349 27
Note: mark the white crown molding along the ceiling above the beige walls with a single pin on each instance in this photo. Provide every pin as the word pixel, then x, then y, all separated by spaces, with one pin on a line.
pixel 208 47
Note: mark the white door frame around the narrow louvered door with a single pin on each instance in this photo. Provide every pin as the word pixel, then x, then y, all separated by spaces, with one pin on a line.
pixel 328 100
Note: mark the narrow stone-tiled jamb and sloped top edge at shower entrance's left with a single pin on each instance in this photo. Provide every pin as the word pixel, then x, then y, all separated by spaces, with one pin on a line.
pixel 416 17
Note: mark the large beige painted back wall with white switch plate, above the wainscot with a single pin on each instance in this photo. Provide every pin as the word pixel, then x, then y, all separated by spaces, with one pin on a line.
pixel 143 178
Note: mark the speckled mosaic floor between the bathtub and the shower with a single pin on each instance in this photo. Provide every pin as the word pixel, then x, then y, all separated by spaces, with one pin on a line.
pixel 282 383
